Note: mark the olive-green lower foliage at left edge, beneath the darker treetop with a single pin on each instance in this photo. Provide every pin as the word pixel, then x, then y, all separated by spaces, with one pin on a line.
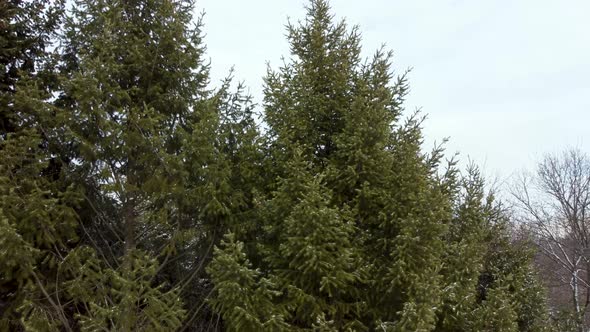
pixel 38 222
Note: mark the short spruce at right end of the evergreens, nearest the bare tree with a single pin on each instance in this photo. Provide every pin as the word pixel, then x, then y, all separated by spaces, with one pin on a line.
pixel 490 284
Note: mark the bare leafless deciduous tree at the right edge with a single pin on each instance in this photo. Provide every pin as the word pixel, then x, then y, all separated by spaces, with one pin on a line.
pixel 554 205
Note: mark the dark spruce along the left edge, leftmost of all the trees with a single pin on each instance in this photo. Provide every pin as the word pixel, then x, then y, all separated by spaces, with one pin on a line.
pixel 37 207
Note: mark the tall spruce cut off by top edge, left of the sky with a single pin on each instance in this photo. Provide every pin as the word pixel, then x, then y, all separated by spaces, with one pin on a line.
pixel 138 85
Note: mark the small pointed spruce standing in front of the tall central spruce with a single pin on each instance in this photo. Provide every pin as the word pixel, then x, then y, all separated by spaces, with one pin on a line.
pixel 310 250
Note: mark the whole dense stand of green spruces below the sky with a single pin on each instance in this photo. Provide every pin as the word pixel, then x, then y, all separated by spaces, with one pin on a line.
pixel 134 197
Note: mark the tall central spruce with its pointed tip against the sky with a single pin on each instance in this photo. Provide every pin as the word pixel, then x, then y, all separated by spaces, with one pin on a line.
pixel 341 117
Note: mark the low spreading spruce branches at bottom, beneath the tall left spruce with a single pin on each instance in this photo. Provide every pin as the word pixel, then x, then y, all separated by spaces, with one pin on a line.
pixel 121 299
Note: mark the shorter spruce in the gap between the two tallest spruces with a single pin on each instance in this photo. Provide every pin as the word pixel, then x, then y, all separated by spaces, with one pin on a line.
pixel 221 161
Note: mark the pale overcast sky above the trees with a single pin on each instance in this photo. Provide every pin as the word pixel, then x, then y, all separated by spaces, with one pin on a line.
pixel 506 81
